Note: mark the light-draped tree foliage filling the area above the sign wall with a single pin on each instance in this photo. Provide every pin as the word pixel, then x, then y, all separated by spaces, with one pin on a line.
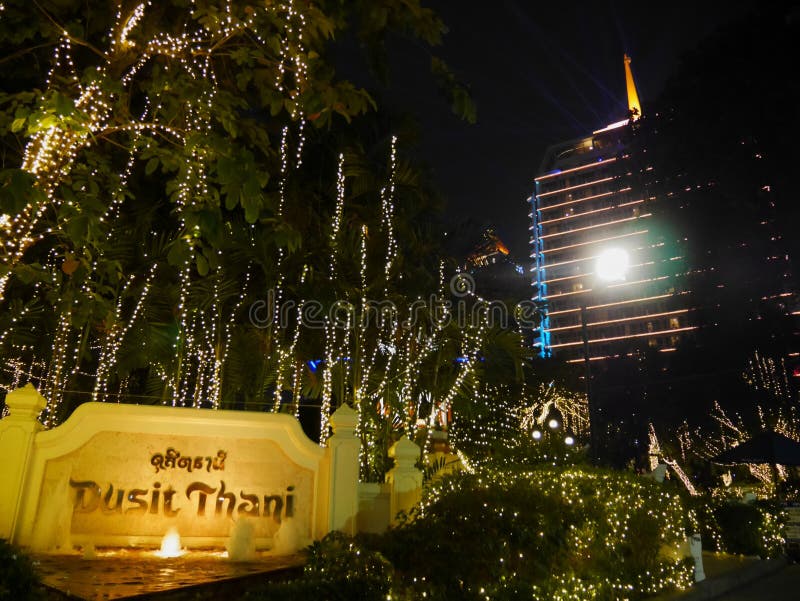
pixel 187 186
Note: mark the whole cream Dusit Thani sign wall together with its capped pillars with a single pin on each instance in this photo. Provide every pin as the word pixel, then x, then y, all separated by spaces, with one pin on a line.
pixel 126 475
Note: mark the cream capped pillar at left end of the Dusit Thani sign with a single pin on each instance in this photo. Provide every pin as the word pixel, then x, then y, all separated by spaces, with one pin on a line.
pixel 17 432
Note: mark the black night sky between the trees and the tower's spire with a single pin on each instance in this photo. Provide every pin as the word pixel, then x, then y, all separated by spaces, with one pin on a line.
pixel 540 73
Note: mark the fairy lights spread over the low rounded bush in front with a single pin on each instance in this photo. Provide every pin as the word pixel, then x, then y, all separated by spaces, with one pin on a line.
pixel 602 507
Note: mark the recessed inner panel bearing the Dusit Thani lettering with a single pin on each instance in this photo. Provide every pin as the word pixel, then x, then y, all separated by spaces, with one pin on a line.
pixel 138 486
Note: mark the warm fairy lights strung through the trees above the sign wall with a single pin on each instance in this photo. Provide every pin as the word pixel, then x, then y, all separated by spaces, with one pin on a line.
pixel 380 374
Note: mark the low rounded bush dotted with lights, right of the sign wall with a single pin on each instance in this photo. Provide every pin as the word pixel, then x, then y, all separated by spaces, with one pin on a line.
pixel 547 533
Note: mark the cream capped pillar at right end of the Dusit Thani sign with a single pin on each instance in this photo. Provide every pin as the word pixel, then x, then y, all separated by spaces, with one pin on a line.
pixel 342 452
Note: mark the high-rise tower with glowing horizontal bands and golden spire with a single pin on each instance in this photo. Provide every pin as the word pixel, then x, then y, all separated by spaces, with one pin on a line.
pixel 603 269
